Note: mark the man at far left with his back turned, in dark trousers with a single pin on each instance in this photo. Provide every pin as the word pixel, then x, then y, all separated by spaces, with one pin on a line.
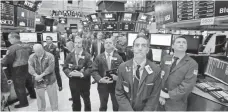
pixel 17 56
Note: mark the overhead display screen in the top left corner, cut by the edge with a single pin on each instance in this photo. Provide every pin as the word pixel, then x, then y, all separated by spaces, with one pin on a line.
pixel 7 14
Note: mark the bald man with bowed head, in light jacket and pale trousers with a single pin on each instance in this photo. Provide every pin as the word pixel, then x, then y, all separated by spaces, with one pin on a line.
pixel 41 67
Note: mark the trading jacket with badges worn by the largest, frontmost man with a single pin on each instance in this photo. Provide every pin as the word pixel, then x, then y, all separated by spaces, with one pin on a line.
pixel 148 92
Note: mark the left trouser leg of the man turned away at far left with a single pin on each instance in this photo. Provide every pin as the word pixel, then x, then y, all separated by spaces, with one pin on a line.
pixel 19 76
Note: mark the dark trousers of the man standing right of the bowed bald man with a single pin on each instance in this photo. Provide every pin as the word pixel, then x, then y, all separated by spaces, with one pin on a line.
pixel 79 87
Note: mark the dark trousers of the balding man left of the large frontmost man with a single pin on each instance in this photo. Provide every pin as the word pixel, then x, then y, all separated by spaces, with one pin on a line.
pixel 104 90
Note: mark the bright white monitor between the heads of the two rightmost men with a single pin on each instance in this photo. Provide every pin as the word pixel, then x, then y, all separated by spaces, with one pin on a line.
pixel 161 39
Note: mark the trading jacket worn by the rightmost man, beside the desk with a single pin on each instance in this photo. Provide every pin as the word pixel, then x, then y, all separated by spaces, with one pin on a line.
pixel 180 81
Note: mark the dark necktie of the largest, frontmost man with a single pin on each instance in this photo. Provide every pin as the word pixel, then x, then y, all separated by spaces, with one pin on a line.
pixel 136 81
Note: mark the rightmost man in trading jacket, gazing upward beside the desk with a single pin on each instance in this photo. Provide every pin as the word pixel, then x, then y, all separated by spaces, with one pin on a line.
pixel 179 73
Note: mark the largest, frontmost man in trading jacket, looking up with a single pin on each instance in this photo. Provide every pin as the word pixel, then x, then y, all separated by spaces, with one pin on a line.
pixel 139 83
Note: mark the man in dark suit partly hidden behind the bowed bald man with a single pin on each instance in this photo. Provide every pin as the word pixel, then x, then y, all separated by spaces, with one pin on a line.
pixel 53 49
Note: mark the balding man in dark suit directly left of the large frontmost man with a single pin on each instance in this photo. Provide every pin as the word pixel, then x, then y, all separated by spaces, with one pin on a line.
pixel 108 60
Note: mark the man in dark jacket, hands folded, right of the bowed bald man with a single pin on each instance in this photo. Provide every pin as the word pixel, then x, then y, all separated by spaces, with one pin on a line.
pixel 77 68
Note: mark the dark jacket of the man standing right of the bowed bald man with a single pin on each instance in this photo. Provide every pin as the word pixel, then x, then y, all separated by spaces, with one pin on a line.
pixel 84 61
